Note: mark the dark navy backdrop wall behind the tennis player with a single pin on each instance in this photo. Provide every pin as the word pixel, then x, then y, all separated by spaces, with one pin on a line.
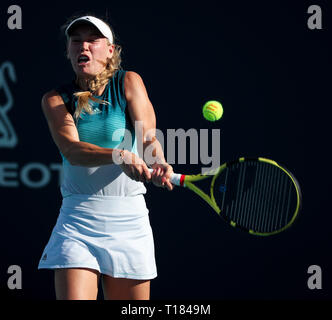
pixel 272 75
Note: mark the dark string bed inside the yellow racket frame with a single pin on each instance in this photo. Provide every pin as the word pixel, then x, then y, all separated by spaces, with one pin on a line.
pixel 259 196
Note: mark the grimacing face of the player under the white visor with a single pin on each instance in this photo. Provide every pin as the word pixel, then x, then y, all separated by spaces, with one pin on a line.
pixel 88 51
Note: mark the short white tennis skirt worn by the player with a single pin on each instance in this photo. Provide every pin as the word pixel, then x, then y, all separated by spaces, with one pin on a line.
pixel 110 234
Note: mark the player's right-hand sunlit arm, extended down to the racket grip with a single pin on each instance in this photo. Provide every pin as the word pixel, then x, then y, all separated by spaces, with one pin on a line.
pixel 140 109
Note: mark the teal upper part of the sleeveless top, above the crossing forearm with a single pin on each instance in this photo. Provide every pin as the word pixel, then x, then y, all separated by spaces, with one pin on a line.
pixel 109 126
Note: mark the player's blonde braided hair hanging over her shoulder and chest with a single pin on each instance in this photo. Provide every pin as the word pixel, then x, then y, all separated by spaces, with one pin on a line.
pixel 111 66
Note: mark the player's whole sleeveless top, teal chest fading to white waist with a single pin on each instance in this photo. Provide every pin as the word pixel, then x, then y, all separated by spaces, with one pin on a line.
pixel 109 127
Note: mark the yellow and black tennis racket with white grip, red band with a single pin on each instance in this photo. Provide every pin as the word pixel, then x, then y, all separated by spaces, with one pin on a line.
pixel 256 195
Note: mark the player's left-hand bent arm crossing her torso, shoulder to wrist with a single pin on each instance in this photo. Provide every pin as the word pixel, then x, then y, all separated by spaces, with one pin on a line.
pixel 65 135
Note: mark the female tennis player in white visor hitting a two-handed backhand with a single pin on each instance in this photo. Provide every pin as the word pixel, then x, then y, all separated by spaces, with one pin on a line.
pixel 103 229
